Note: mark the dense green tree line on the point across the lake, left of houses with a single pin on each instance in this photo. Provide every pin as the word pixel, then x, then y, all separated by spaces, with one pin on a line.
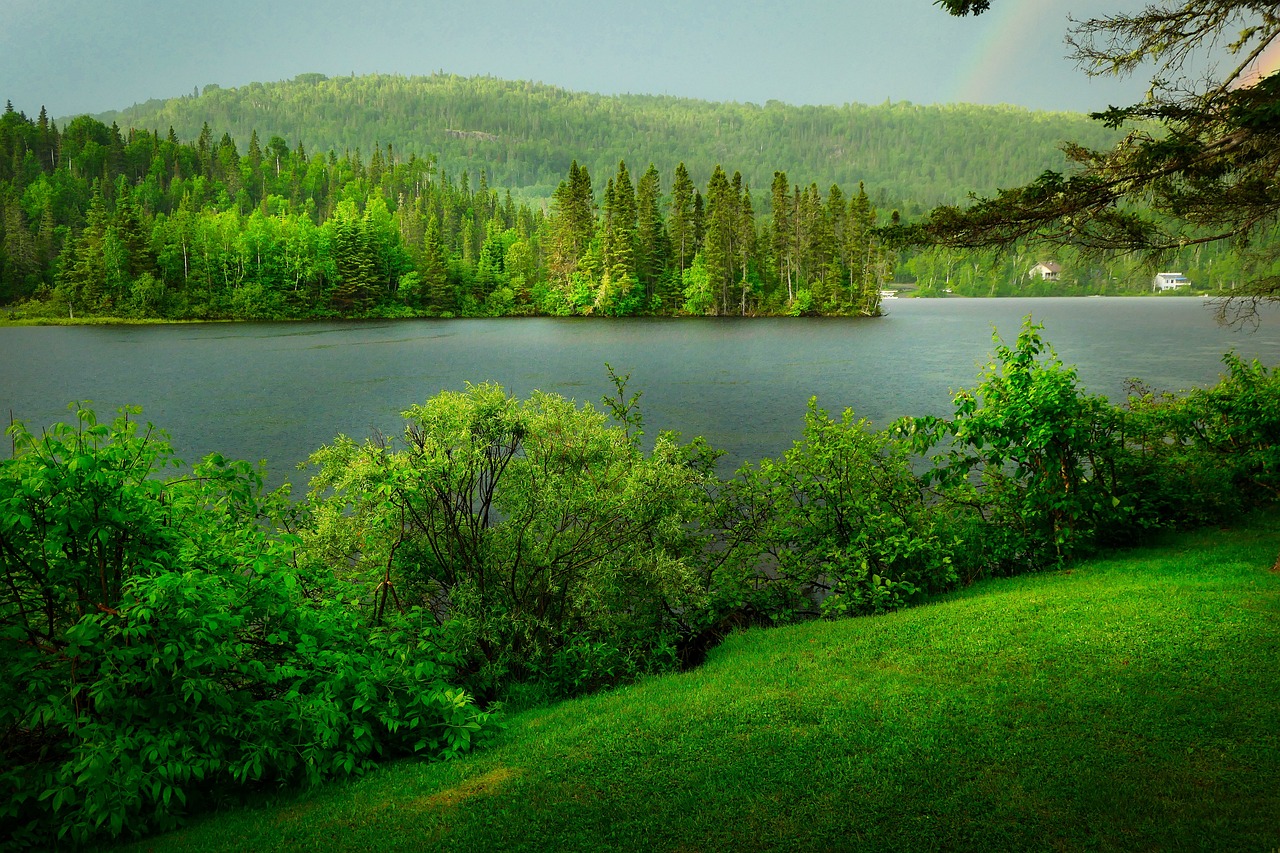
pixel 103 222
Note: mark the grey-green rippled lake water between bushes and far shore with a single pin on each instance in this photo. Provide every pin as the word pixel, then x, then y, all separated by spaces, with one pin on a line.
pixel 277 391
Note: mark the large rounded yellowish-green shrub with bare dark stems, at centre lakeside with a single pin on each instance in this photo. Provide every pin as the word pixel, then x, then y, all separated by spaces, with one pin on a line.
pixel 525 528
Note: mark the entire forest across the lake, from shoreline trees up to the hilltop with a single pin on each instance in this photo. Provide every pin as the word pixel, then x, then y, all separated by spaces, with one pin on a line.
pixel 248 223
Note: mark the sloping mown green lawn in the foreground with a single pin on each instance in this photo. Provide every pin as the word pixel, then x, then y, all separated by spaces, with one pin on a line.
pixel 1128 704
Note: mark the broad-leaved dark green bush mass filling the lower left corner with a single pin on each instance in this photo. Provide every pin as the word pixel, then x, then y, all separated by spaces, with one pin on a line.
pixel 159 644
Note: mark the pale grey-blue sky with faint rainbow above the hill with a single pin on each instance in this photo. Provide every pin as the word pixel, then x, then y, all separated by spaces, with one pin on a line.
pixel 93 56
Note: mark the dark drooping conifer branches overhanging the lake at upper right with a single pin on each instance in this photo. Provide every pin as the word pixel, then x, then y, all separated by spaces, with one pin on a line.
pixel 1200 159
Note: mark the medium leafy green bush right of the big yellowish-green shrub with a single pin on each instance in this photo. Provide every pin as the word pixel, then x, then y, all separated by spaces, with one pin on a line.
pixel 840 521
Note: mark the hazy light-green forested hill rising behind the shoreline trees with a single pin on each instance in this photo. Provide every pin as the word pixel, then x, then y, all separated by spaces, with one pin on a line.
pixel 527 135
